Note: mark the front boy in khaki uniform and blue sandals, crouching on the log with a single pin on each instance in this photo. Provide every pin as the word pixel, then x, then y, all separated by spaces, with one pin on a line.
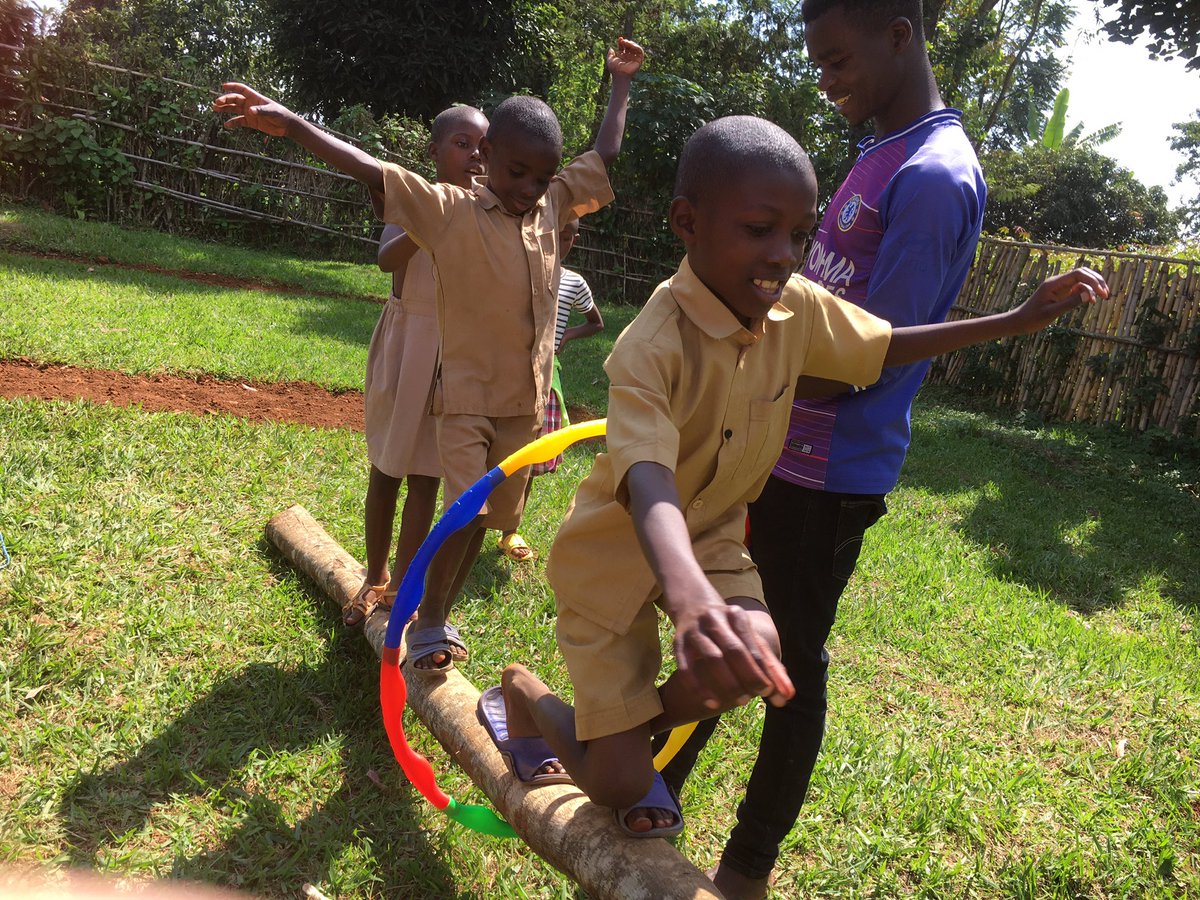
pixel 701 392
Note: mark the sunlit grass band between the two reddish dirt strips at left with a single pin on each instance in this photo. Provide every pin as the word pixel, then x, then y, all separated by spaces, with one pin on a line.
pixel 139 322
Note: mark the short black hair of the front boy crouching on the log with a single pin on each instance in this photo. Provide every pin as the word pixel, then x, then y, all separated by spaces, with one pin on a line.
pixel 725 148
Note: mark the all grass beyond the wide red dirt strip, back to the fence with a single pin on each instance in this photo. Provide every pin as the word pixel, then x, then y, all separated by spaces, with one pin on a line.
pixel 59 311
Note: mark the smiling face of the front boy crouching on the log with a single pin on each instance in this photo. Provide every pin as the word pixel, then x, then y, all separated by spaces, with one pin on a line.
pixel 747 237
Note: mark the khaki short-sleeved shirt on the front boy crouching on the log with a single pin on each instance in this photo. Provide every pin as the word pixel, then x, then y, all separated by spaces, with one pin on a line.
pixel 695 392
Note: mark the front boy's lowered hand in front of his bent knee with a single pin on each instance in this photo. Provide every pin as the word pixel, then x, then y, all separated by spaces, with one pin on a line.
pixel 723 659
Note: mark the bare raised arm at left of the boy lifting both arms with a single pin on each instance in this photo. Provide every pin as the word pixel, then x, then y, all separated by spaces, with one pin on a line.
pixel 251 110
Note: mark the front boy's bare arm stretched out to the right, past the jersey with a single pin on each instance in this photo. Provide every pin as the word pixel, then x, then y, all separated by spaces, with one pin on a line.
pixel 1054 297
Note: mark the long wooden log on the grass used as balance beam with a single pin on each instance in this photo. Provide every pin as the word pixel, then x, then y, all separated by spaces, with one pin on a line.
pixel 557 821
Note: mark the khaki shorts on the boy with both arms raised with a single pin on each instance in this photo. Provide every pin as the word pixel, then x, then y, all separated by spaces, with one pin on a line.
pixel 471 446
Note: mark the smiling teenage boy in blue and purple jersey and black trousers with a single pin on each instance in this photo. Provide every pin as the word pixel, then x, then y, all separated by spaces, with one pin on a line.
pixel 898 239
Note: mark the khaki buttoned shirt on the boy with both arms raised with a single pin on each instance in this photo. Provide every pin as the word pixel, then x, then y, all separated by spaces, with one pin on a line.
pixel 497 291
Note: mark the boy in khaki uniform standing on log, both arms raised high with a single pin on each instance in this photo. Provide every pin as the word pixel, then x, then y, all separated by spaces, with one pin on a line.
pixel 496 251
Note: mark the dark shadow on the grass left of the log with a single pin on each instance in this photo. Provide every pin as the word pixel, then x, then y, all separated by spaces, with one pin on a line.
pixel 229 751
